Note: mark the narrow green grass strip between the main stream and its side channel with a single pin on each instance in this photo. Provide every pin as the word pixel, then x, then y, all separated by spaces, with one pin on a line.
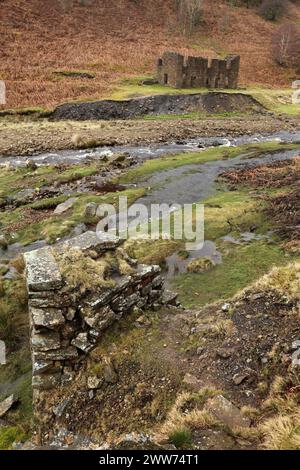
pixel 188 158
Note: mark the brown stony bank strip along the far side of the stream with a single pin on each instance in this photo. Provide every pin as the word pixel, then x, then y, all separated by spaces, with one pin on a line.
pixel 28 137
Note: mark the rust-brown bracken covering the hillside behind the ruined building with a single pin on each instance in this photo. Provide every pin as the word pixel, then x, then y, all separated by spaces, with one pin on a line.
pixel 119 39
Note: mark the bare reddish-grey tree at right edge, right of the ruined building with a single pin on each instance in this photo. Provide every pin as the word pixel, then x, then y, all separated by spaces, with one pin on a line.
pixel 286 45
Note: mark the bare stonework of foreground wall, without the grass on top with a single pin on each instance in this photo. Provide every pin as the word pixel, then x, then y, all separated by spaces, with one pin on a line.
pixel 67 325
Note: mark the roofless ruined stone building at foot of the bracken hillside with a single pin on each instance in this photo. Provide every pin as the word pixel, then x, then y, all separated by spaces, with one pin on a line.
pixel 175 70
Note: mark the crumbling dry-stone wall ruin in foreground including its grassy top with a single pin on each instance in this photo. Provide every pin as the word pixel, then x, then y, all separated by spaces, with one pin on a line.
pixel 71 310
